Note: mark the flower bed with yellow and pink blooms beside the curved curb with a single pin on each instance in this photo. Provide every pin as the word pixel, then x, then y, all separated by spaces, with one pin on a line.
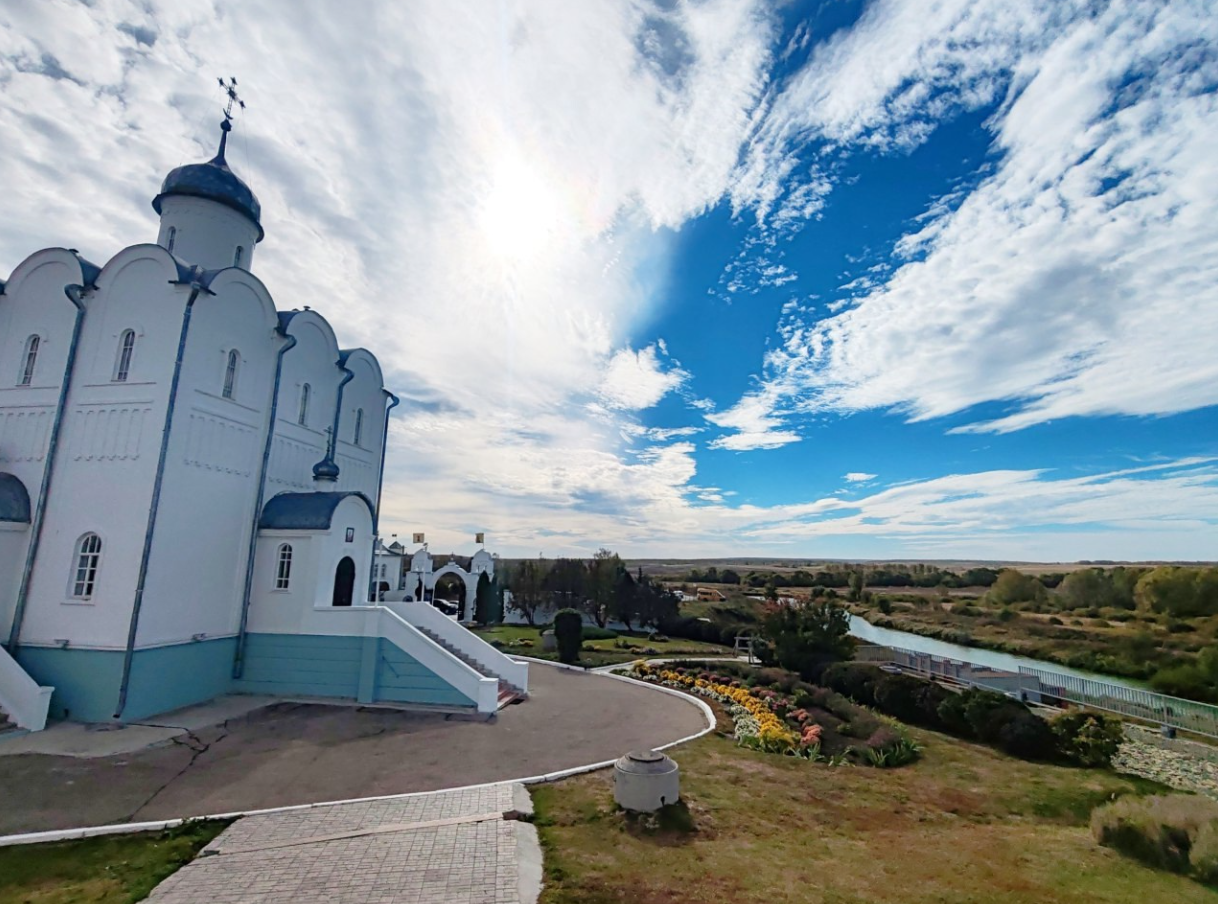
pixel 768 720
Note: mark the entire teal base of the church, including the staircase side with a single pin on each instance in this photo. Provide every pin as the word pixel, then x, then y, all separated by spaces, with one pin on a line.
pixel 367 669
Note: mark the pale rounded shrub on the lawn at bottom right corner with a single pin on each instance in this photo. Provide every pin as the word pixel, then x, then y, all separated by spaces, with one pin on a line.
pixel 1175 833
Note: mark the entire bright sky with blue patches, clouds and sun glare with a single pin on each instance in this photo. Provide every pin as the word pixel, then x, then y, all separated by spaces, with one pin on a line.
pixel 888 280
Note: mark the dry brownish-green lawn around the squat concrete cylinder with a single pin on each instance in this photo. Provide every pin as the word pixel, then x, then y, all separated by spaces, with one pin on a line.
pixel 964 824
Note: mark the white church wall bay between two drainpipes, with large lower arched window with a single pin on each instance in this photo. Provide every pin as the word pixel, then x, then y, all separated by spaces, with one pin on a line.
pixel 108 453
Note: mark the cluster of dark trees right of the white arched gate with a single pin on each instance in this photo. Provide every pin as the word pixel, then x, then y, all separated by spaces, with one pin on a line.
pixel 601 587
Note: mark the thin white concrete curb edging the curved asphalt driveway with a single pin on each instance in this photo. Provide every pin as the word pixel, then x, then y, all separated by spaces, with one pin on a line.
pixel 59 835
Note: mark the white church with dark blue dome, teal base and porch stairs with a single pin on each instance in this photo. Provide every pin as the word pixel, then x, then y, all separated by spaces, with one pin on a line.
pixel 190 489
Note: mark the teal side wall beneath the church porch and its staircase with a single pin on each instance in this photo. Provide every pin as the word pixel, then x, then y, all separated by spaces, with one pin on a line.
pixel 367 669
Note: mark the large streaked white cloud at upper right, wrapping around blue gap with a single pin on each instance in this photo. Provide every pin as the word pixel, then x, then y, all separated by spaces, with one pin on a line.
pixel 1079 279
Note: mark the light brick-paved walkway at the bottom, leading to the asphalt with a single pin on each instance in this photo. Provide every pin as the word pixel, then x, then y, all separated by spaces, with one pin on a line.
pixel 270 859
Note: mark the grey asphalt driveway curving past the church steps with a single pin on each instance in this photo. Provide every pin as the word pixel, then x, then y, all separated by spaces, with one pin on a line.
pixel 306 753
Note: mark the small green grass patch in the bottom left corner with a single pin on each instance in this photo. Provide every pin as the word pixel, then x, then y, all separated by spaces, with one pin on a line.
pixel 113 869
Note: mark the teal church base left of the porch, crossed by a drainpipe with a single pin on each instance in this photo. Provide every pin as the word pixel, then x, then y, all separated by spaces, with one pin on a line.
pixel 163 679
